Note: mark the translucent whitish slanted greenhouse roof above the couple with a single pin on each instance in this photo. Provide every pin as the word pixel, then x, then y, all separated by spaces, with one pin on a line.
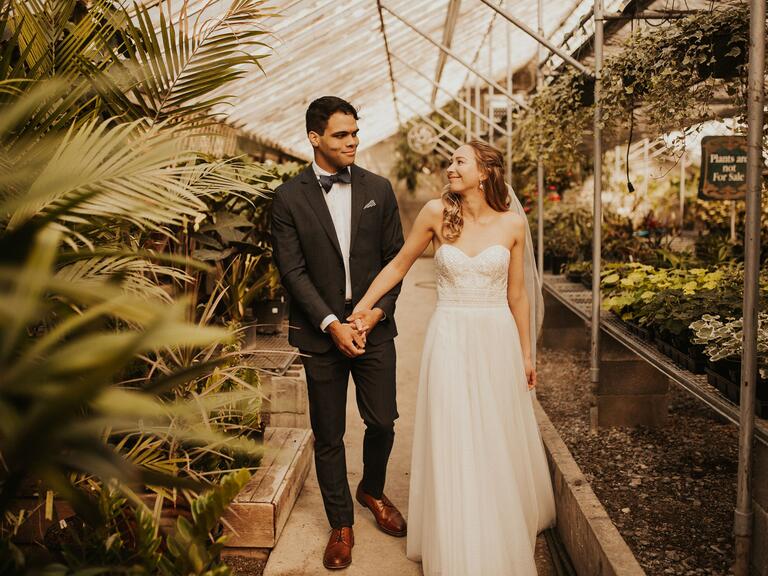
pixel 334 47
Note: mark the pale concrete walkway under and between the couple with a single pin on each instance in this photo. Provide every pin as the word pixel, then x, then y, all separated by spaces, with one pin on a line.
pixel 300 548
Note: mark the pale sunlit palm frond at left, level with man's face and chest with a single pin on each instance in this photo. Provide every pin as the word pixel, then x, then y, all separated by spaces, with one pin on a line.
pixel 122 172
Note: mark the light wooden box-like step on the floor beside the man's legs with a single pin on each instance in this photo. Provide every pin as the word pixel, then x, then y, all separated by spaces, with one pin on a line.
pixel 259 513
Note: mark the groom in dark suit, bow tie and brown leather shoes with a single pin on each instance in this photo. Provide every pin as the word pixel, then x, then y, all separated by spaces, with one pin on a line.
pixel 334 227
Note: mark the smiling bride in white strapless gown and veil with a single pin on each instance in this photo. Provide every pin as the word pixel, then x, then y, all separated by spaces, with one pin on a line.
pixel 480 489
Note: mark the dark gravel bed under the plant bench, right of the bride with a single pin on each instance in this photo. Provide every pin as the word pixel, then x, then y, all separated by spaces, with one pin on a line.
pixel 670 491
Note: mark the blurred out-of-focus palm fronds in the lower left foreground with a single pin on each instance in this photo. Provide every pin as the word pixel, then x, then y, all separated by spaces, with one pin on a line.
pixel 56 391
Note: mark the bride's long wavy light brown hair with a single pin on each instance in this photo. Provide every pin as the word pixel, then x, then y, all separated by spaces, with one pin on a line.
pixel 490 163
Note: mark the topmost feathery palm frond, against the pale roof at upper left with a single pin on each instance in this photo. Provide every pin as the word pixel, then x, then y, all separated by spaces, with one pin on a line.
pixel 177 65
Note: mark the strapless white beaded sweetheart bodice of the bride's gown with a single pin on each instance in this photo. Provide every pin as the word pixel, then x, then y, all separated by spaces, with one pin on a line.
pixel 472 281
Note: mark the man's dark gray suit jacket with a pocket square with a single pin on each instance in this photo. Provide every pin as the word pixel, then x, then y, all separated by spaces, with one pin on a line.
pixel 307 253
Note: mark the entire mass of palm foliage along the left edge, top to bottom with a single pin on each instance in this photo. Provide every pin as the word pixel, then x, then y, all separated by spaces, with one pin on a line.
pixel 96 102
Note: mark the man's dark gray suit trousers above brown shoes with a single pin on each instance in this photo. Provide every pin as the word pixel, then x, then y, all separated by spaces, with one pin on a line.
pixel 327 377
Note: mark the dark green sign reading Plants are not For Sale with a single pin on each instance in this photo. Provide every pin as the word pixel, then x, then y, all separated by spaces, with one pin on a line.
pixel 723 168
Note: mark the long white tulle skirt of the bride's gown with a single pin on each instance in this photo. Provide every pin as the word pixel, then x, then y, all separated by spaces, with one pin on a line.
pixel 480 487
